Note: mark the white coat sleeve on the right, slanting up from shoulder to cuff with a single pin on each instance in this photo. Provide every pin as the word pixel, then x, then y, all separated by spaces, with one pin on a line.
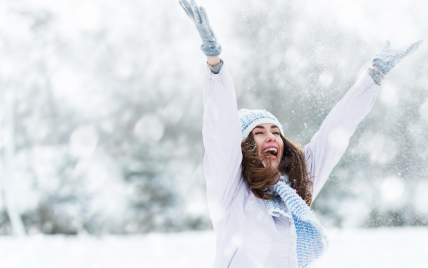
pixel 331 141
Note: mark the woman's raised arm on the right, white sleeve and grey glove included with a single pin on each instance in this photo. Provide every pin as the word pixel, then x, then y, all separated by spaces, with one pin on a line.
pixel 331 141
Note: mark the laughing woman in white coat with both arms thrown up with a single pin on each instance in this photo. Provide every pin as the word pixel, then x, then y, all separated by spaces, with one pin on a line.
pixel 259 185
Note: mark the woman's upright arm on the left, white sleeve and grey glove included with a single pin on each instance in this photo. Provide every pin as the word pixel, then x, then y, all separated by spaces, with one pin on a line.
pixel 221 127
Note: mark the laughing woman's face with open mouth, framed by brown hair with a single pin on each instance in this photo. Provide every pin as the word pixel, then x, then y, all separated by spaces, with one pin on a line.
pixel 268 140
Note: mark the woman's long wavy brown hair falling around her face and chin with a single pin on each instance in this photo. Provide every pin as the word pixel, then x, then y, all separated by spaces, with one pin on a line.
pixel 260 178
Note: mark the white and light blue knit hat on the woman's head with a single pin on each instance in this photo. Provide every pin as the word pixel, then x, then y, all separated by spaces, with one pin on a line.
pixel 252 118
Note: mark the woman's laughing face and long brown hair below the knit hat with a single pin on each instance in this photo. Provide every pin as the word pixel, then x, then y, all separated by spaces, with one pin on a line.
pixel 266 154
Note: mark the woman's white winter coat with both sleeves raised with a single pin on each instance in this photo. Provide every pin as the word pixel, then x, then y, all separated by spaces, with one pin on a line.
pixel 246 235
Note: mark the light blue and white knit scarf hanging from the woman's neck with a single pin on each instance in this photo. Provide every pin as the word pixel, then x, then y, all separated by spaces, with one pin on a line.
pixel 311 237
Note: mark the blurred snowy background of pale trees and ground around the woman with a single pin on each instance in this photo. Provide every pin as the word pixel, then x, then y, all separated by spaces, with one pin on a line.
pixel 101 115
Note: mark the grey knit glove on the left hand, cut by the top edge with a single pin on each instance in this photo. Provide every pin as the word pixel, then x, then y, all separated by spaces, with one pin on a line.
pixel 199 16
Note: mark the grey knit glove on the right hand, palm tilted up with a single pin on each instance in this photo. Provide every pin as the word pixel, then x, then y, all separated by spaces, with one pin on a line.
pixel 386 58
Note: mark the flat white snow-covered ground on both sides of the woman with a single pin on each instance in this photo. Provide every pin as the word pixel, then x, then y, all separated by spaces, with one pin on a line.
pixel 384 247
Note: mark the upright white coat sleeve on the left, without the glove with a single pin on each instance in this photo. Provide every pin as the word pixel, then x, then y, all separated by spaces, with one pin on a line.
pixel 222 141
